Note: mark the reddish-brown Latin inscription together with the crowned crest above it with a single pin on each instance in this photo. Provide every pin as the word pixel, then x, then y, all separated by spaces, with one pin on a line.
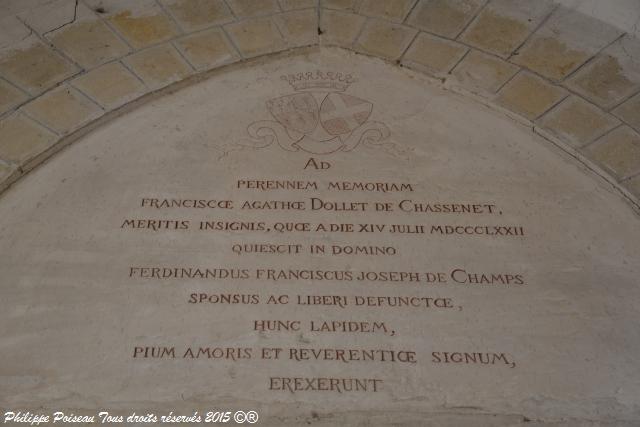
pixel 315 236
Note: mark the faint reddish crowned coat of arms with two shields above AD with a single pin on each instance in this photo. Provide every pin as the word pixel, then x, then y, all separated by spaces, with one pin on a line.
pixel 319 118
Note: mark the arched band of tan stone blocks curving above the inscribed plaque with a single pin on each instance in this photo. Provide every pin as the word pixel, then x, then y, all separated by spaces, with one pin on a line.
pixel 67 66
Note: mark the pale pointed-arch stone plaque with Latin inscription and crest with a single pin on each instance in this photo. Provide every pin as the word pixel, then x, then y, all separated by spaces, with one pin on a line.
pixel 320 239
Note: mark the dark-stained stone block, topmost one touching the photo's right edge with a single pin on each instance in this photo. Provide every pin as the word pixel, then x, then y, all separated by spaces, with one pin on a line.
pixel 612 76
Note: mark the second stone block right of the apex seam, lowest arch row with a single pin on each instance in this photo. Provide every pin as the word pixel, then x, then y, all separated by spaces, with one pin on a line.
pixel 382 38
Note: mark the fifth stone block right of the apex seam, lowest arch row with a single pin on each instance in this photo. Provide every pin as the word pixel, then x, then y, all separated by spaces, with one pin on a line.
pixel 529 95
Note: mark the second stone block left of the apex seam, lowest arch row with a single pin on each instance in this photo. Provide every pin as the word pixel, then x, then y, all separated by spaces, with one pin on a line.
pixel 256 36
